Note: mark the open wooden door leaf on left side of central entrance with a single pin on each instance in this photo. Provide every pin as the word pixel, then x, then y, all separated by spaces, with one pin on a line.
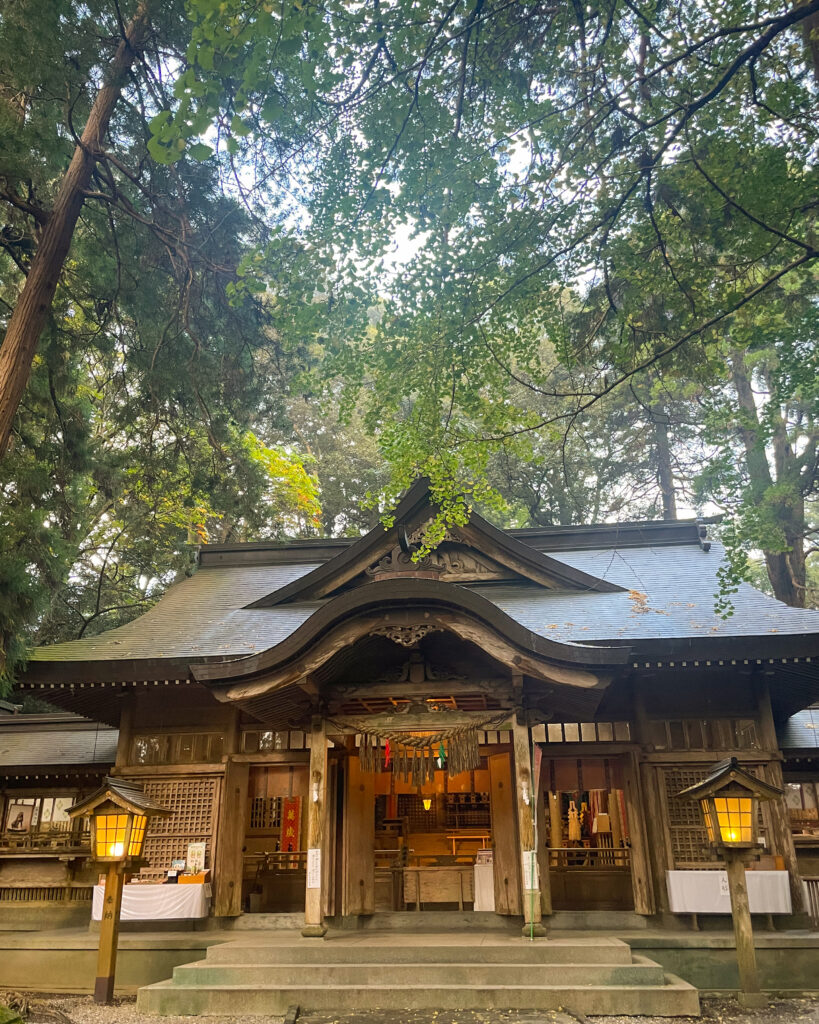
pixel 360 840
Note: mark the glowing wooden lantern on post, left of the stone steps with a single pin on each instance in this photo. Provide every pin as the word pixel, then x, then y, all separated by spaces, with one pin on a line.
pixel 119 813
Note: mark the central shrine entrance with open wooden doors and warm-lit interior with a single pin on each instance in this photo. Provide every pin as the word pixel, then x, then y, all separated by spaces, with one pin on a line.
pixel 418 835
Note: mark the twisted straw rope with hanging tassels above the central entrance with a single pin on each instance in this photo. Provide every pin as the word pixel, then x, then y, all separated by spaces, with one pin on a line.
pixel 415 758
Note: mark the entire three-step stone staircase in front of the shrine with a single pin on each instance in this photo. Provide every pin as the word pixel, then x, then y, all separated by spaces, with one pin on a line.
pixel 266 973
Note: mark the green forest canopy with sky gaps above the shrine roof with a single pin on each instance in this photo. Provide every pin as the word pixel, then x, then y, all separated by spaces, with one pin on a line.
pixel 265 263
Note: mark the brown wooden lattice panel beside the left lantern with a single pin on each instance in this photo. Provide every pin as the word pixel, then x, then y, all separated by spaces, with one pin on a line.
pixel 194 802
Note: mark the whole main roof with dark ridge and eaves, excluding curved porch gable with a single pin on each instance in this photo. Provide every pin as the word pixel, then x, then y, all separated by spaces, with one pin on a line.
pixel 649 586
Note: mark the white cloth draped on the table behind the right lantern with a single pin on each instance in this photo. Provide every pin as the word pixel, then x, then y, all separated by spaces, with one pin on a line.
pixel 707 892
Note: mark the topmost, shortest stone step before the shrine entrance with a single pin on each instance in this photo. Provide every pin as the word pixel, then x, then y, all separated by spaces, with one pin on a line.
pixel 419 949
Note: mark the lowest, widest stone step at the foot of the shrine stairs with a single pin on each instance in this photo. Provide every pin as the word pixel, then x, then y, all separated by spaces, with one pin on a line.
pixel 674 999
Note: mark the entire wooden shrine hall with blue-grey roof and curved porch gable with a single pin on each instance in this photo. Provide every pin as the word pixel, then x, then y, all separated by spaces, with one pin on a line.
pixel 504 726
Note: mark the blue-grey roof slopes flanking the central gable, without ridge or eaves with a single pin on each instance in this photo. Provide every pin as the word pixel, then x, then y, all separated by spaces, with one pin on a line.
pixel 670 594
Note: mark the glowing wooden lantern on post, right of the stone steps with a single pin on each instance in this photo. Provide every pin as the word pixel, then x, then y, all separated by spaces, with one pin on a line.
pixel 729 800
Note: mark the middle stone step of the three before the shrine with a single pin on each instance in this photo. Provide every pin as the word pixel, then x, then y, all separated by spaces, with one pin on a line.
pixel 642 972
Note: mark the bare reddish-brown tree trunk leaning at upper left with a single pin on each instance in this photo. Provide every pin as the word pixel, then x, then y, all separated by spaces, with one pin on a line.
pixel 34 306
